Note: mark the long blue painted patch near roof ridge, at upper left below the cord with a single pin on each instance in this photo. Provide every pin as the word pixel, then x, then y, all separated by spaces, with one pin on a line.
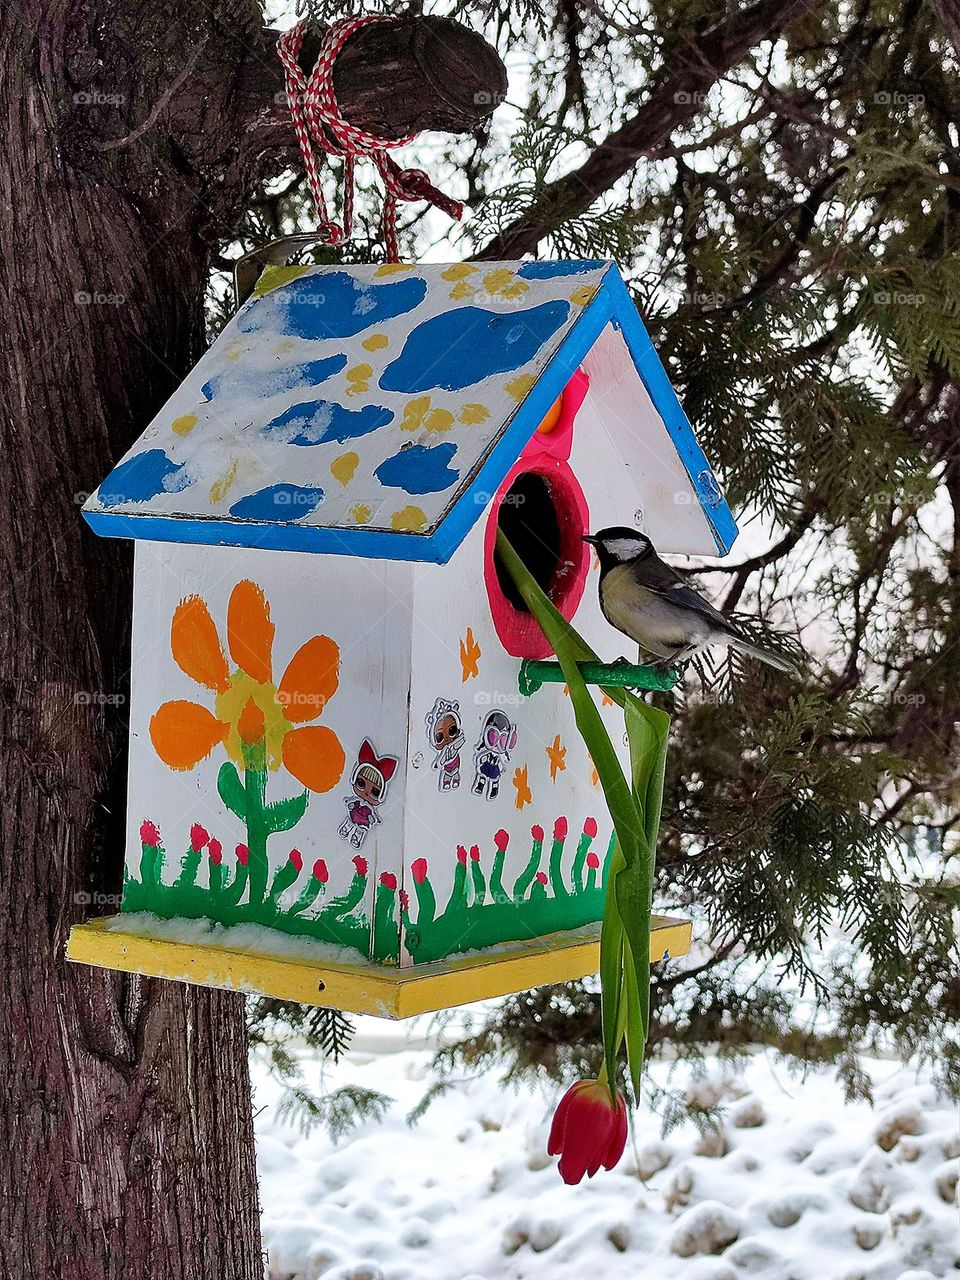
pixel 331 305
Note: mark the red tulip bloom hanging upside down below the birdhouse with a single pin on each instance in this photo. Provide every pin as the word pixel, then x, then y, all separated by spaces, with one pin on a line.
pixel 589 1131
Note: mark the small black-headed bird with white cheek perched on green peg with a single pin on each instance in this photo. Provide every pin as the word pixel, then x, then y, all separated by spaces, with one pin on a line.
pixel 653 606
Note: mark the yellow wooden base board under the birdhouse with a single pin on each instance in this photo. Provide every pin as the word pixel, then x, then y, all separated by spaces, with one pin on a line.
pixel 362 989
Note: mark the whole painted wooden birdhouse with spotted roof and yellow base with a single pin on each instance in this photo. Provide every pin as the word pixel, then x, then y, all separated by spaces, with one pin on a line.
pixel 337 792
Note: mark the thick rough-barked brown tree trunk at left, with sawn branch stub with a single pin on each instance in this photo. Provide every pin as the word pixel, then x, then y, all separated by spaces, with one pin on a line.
pixel 131 138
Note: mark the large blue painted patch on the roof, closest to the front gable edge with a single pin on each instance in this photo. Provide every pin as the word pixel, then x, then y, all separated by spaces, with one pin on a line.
pixel 461 348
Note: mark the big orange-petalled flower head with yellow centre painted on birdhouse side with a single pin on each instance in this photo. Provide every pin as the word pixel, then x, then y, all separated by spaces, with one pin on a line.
pixel 250 706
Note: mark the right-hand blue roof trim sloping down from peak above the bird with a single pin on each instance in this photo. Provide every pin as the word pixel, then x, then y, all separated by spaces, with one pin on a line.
pixel 665 399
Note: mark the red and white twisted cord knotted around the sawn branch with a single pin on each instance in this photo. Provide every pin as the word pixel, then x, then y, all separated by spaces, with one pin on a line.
pixel 319 125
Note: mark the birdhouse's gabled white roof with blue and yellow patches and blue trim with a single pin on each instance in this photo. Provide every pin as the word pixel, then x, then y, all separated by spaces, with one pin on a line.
pixel 374 410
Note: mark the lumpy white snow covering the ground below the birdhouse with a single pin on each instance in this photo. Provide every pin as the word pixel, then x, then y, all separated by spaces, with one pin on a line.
pixel 798 1187
